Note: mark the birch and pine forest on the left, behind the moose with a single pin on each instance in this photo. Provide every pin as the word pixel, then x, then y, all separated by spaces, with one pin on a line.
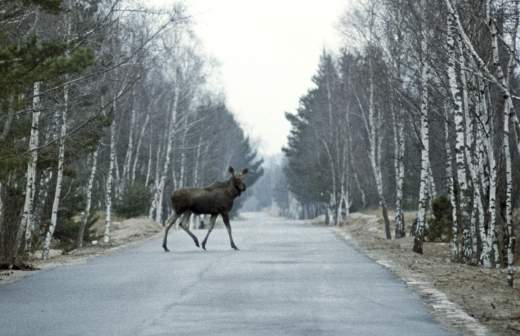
pixel 105 109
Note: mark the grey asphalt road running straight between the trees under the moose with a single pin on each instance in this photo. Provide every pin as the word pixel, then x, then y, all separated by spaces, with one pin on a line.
pixel 289 278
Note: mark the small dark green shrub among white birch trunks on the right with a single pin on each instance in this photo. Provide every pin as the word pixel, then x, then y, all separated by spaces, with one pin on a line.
pixel 440 225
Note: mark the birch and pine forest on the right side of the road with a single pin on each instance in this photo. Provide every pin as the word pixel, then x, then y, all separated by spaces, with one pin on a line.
pixel 418 111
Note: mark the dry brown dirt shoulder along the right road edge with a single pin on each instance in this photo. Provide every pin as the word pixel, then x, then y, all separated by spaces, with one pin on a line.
pixel 474 300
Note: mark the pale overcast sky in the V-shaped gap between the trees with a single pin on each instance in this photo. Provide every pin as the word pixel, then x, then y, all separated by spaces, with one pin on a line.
pixel 268 51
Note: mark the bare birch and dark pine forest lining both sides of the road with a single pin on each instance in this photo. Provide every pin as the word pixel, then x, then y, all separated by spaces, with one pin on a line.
pixel 106 107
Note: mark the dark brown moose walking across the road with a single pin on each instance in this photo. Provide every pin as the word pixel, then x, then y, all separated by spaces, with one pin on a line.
pixel 214 199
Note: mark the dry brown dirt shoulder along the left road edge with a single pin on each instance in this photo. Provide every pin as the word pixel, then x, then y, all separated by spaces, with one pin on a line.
pixel 125 233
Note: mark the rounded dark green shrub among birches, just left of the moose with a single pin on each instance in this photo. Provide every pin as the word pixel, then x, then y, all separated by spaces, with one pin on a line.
pixel 134 202
